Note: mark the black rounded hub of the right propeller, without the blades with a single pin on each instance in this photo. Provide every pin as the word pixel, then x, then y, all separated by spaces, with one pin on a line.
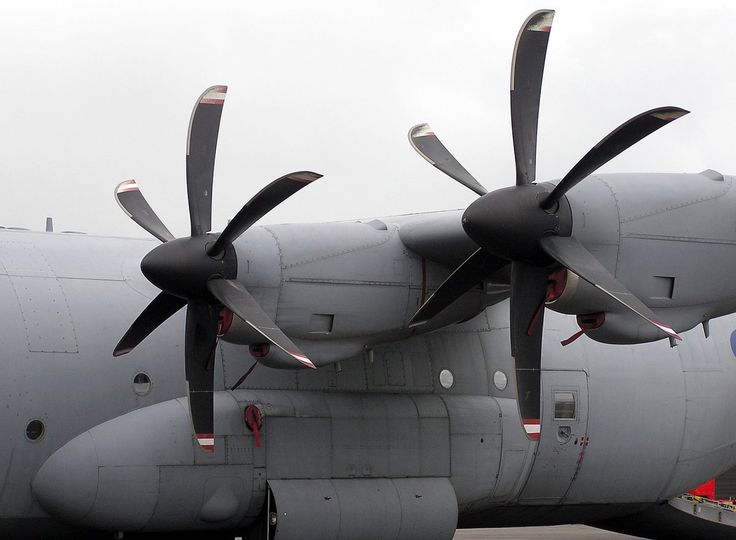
pixel 509 222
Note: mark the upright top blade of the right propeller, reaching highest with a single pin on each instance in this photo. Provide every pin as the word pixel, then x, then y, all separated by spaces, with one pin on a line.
pixel 527 68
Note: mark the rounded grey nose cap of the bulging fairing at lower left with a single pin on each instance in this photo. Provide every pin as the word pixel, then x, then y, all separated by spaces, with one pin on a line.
pixel 66 484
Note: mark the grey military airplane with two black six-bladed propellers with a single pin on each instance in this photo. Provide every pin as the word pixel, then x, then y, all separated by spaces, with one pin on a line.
pixel 393 378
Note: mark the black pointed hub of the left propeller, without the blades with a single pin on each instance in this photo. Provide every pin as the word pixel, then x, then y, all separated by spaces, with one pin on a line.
pixel 182 267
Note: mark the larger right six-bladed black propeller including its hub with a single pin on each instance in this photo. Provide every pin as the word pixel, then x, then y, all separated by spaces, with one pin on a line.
pixel 527 225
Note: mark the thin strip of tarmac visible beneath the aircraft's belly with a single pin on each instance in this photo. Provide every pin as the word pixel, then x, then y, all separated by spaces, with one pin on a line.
pixel 562 532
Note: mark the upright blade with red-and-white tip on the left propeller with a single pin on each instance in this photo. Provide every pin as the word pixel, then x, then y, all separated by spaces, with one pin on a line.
pixel 204 126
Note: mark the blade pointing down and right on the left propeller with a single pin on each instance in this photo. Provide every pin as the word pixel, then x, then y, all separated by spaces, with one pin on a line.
pixel 238 300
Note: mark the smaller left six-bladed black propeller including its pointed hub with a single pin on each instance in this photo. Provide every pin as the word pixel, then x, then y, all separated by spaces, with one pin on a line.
pixel 199 271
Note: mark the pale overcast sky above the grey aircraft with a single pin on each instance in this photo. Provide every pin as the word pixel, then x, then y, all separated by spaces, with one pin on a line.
pixel 97 92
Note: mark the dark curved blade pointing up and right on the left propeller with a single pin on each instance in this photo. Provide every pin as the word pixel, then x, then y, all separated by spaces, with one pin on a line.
pixel 263 202
